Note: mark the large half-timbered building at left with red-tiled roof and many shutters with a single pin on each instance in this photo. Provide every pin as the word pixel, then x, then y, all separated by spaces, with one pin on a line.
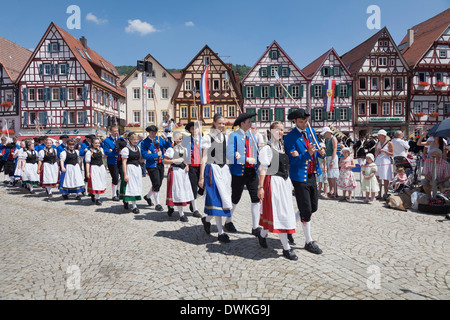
pixel 66 87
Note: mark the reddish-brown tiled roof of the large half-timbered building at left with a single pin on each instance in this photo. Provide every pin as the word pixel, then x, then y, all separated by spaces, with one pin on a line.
pixel 88 62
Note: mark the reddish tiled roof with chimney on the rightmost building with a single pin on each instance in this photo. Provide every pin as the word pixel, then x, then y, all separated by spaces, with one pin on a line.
pixel 425 34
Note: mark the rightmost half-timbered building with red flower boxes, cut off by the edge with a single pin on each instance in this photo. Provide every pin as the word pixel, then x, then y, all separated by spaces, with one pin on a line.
pixel 426 49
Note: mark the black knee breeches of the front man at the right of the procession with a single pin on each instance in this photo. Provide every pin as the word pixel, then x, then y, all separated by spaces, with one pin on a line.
pixel 307 197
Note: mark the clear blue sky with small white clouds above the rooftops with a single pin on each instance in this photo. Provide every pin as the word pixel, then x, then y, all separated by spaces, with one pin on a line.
pixel 238 30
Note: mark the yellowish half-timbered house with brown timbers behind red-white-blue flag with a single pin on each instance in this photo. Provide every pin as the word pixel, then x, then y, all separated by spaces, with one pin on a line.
pixel 224 93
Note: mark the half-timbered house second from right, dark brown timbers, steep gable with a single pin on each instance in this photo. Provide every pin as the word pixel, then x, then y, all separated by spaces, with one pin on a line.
pixel 380 85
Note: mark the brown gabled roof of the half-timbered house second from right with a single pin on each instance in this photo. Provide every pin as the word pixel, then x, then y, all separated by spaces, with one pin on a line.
pixel 355 58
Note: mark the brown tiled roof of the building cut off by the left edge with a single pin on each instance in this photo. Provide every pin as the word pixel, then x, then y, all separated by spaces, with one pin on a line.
pixel 13 58
